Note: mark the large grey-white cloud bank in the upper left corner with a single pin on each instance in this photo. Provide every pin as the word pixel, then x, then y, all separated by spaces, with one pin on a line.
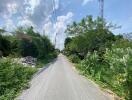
pixel 36 10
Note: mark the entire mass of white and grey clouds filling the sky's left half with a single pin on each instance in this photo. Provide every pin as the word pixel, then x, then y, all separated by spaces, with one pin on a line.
pixel 34 13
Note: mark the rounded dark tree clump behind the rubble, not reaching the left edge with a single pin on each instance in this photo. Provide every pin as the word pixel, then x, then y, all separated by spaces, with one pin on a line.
pixel 30 43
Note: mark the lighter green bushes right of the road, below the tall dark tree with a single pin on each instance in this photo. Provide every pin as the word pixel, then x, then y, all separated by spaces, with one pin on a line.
pixel 115 69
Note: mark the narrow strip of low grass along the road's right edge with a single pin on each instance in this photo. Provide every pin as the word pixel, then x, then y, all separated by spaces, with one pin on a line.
pixel 116 93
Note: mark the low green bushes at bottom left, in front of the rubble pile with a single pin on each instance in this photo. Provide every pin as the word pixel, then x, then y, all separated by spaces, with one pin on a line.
pixel 13 78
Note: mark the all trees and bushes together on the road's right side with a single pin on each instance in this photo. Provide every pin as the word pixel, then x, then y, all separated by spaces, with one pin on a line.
pixel 106 57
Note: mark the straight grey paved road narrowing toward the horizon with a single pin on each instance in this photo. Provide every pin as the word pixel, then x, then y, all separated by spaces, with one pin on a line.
pixel 60 81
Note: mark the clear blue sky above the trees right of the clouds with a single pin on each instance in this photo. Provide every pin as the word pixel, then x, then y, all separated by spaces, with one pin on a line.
pixel 116 11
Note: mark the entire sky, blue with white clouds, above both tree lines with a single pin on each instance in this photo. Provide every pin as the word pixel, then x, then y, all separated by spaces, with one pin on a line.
pixel 39 13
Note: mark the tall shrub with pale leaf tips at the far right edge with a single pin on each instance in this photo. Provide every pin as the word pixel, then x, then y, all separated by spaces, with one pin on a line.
pixel 119 61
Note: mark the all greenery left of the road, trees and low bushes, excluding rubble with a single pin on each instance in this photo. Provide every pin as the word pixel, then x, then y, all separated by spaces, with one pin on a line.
pixel 23 42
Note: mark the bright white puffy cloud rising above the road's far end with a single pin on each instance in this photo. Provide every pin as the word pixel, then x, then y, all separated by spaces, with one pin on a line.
pixel 51 29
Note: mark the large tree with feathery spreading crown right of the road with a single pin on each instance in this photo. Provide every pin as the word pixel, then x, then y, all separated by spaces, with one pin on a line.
pixel 88 35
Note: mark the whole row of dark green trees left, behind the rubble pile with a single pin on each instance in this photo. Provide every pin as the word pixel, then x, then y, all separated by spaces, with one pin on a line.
pixel 26 42
